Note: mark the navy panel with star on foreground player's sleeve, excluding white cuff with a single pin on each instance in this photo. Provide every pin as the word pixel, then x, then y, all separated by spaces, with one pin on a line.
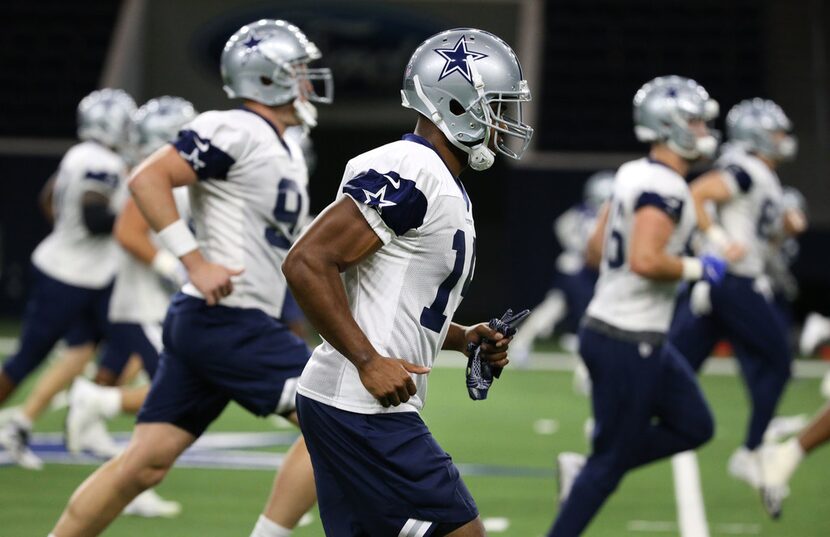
pixel 398 201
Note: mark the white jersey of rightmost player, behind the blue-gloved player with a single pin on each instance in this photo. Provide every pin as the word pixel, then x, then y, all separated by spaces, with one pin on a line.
pixel 752 217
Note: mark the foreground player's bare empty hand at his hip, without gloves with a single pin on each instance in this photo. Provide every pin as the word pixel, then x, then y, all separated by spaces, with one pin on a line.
pixel 389 380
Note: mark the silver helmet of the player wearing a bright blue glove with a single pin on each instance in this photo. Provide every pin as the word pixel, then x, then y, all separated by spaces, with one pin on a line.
pixel 663 109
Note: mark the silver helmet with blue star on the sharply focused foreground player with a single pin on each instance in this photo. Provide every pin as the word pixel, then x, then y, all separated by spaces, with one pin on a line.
pixel 469 84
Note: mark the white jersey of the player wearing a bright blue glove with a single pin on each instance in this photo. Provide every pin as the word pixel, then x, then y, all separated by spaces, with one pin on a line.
pixel 622 298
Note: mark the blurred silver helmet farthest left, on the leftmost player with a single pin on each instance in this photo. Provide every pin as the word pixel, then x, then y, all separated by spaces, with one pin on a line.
pixel 105 116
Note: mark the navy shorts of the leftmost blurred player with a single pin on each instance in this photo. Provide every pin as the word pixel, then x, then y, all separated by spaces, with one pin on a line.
pixel 53 311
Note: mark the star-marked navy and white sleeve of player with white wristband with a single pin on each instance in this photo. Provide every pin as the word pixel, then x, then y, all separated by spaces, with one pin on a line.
pixel 210 146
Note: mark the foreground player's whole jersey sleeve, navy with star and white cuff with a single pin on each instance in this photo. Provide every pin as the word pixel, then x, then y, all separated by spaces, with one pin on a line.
pixel 392 205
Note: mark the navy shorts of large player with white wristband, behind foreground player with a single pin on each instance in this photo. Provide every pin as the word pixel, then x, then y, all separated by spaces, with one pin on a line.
pixel 215 354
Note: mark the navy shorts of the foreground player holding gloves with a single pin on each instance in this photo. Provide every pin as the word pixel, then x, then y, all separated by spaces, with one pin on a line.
pixel 381 475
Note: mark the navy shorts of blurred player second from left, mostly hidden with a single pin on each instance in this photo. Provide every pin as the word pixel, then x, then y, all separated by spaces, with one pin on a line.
pixel 126 339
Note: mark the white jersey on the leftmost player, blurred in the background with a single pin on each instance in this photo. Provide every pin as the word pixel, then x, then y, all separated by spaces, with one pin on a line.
pixel 70 253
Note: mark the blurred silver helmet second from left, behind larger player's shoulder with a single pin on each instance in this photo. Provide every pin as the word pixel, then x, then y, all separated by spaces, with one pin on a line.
pixel 158 121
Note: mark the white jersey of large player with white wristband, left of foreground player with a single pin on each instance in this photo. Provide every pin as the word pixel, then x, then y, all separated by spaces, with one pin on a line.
pixel 251 194
